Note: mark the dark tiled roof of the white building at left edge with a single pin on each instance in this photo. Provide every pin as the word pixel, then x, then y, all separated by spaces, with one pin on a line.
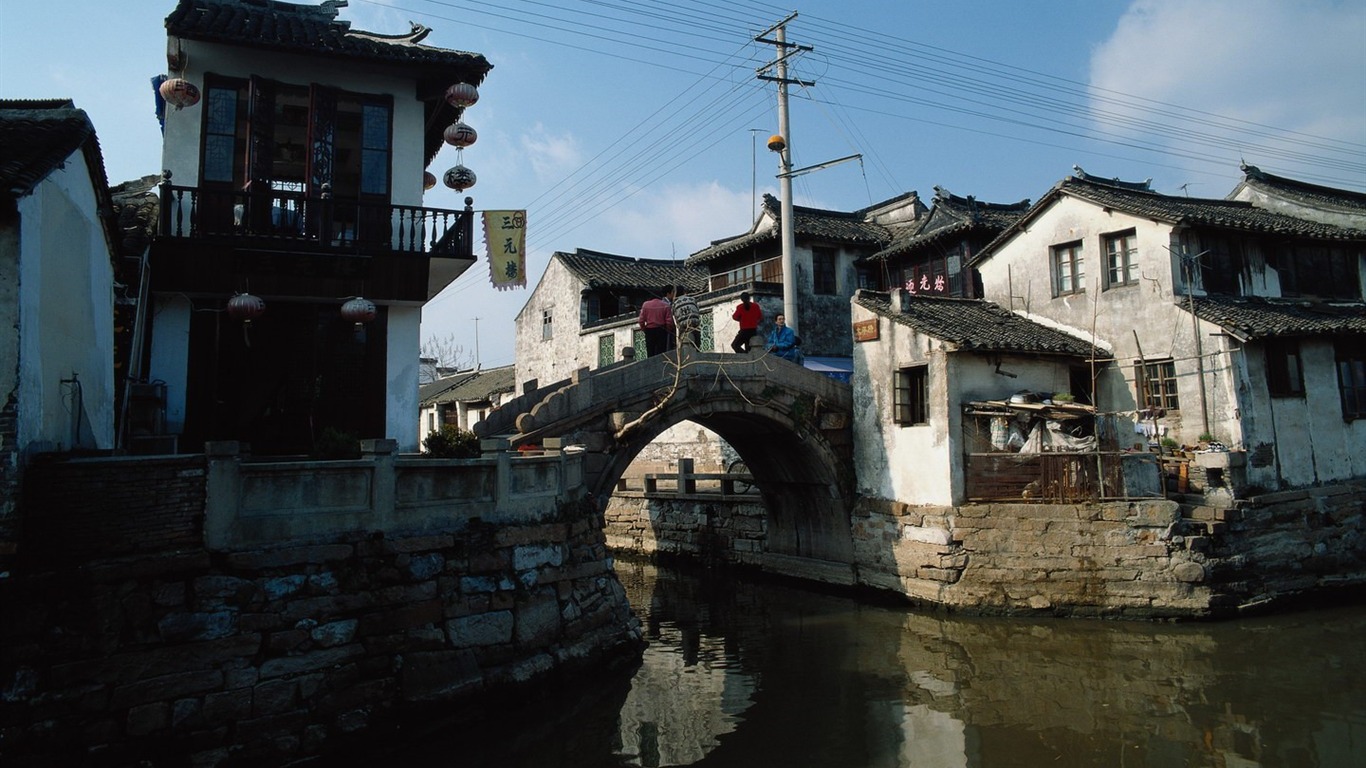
pixel 36 137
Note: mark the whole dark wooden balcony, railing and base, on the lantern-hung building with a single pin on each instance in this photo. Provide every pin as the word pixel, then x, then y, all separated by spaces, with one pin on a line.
pixel 288 243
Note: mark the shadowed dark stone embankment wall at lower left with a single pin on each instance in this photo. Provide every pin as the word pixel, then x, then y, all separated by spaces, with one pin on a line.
pixel 186 657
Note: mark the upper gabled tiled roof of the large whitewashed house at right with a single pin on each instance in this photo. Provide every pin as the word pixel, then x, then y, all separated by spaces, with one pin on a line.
pixel 1184 211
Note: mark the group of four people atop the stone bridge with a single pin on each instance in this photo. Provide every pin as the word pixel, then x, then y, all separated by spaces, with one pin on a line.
pixel 674 318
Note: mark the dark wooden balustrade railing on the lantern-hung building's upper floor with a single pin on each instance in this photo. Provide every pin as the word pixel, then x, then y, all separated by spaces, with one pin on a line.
pixel 282 214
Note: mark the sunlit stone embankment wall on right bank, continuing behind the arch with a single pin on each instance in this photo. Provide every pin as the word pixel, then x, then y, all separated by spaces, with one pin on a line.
pixel 1136 560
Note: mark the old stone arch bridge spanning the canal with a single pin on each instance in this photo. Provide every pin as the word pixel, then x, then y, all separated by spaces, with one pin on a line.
pixel 790 426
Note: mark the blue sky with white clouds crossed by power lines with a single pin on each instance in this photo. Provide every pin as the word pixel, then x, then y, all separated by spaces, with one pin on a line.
pixel 639 128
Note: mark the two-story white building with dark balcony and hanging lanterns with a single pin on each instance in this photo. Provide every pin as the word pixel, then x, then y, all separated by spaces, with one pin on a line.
pixel 294 253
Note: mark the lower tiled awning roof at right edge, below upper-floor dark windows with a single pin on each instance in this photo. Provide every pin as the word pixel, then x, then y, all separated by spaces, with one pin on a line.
pixel 1253 318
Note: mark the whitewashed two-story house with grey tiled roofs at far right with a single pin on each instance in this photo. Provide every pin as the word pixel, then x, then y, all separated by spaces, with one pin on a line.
pixel 1237 322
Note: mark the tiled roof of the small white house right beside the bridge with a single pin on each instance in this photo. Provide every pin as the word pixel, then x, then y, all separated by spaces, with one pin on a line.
pixel 977 326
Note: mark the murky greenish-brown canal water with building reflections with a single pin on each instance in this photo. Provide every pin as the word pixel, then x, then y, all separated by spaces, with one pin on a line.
pixel 745 674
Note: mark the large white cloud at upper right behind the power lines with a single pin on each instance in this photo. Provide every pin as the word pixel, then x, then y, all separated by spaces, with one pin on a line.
pixel 1267 62
